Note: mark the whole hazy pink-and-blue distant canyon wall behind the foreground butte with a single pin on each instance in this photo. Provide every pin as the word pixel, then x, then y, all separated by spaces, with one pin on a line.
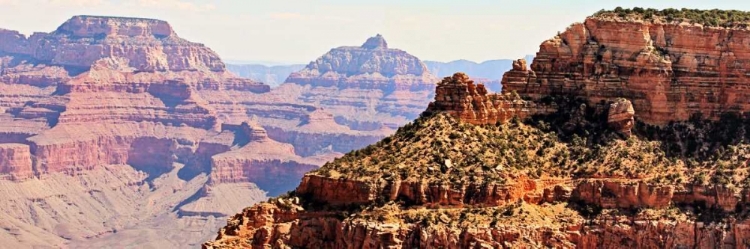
pixel 114 124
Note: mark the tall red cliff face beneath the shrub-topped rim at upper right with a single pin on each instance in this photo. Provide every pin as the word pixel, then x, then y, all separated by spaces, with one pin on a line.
pixel 669 70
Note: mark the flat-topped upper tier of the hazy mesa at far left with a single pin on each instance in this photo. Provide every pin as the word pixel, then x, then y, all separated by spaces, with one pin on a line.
pixel 149 45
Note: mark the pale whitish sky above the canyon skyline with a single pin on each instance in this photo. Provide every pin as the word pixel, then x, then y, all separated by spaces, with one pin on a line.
pixel 299 31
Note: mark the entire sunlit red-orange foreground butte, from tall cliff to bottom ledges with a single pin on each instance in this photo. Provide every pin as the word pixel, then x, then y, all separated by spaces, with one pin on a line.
pixel 599 161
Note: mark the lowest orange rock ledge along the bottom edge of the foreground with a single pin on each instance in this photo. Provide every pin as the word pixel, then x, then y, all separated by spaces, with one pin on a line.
pixel 281 227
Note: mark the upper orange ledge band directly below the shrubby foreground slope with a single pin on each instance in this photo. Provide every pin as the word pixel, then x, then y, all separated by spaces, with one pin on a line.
pixel 604 193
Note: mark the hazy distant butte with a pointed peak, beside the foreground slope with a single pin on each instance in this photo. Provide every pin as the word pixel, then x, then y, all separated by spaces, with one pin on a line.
pixel 321 108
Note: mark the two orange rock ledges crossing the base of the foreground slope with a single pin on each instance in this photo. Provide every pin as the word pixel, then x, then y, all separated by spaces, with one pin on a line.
pixel 283 223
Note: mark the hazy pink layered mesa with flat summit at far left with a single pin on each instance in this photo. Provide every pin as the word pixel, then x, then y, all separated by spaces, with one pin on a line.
pixel 103 88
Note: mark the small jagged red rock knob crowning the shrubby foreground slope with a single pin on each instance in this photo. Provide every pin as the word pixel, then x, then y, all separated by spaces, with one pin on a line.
pixel 461 98
